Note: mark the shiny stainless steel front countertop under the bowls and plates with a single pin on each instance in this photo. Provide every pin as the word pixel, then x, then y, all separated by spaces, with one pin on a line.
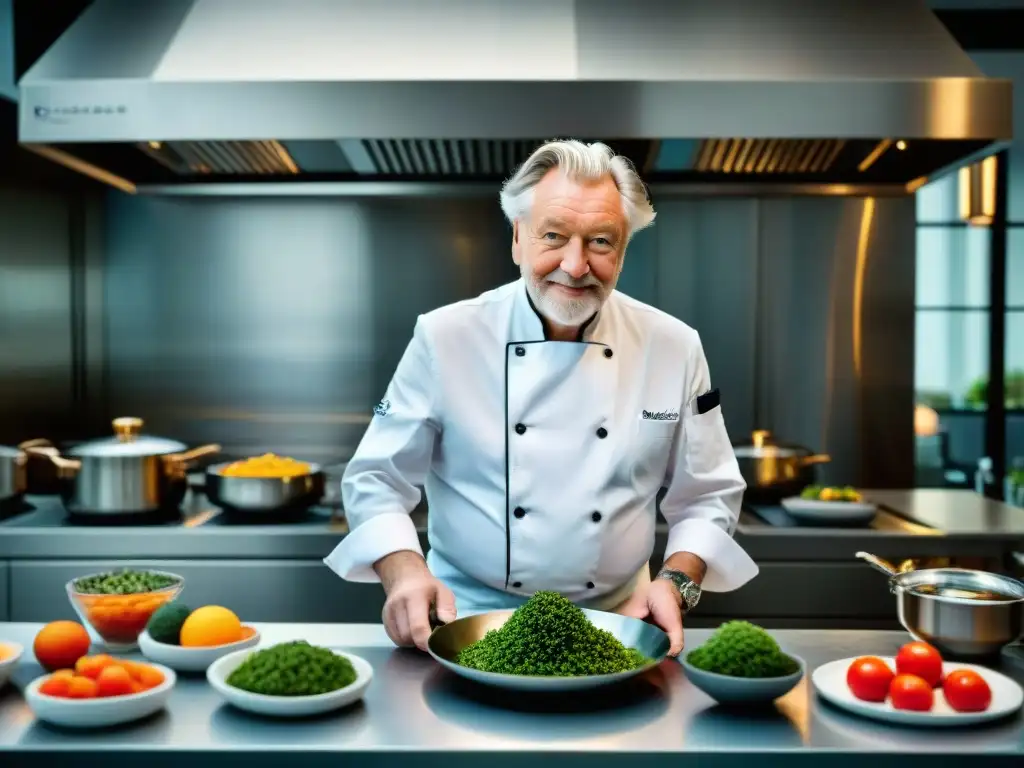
pixel 414 708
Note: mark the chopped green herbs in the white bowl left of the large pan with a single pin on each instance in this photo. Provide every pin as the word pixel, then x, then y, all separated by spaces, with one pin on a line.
pixel 295 669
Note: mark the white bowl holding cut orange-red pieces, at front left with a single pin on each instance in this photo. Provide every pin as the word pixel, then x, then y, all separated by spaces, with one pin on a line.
pixel 99 713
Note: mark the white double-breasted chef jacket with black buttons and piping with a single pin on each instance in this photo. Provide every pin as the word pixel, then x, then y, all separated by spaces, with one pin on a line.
pixel 542 460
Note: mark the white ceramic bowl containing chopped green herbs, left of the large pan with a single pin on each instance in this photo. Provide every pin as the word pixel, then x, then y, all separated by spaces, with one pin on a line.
pixel 287 706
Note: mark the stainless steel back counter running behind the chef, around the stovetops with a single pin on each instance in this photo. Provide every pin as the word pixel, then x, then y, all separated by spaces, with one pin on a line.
pixel 940 524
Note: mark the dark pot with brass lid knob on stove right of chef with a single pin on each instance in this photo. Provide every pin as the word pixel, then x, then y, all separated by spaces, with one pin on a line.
pixel 775 471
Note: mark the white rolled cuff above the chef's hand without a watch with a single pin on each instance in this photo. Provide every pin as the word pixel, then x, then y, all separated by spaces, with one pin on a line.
pixel 381 535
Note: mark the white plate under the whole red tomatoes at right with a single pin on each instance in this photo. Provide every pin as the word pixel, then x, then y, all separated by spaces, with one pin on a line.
pixel 830 682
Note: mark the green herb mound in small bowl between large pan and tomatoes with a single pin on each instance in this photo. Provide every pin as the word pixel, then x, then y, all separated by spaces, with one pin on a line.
pixel 743 650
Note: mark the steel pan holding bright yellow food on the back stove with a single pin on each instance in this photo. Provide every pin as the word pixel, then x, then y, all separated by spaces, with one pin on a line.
pixel 265 495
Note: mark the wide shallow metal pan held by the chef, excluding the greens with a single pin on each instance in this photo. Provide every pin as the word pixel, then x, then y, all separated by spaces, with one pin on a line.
pixel 448 641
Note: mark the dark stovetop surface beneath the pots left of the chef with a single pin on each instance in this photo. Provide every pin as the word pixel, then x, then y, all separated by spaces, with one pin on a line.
pixel 49 513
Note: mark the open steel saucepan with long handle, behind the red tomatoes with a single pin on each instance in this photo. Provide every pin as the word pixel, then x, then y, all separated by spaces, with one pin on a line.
pixel 963 613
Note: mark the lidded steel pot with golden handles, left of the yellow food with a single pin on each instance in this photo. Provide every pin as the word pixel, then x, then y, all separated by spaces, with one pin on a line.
pixel 129 474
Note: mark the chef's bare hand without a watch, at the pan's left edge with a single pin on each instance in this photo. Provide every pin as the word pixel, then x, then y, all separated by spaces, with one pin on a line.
pixel 412 591
